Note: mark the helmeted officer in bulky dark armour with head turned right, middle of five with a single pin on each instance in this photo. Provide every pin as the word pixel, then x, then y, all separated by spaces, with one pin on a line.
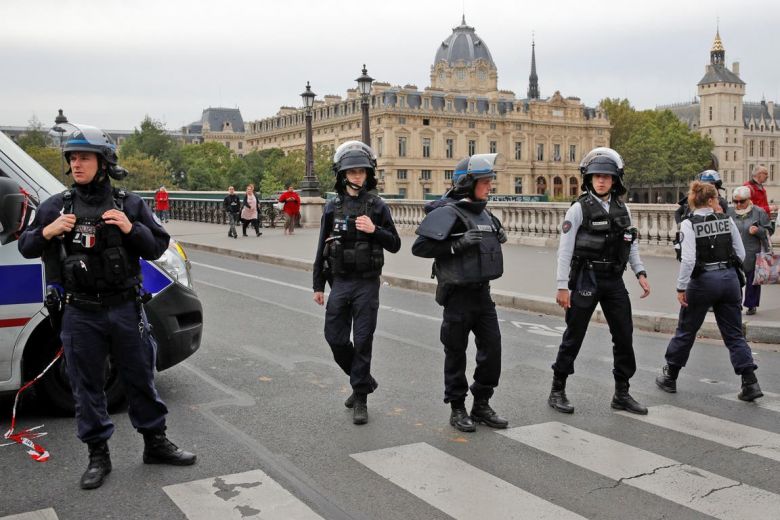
pixel 465 239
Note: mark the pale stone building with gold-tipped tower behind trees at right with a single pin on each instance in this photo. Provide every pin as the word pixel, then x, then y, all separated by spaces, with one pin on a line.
pixel 745 134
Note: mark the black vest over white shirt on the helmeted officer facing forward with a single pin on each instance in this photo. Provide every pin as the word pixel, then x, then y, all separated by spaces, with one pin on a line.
pixel 604 236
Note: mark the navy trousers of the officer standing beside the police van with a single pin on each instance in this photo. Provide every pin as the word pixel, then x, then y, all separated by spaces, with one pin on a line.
pixel 88 338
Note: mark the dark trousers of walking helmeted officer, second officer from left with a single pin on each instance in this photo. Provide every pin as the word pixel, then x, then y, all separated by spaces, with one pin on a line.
pixel 352 307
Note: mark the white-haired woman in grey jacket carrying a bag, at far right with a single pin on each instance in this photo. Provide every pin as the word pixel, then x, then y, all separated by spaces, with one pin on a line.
pixel 754 228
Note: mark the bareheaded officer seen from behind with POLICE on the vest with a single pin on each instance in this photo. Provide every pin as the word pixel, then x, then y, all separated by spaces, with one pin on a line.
pixel 710 275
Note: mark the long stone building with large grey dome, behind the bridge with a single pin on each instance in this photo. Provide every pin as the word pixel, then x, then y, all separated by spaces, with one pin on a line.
pixel 419 135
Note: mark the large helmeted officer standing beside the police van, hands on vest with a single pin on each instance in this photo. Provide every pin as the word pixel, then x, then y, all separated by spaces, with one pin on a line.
pixel 90 238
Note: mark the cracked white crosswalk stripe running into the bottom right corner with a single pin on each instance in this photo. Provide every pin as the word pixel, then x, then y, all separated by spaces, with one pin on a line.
pixel 686 485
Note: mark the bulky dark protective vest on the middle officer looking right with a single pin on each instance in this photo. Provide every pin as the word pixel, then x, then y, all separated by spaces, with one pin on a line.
pixel 476 264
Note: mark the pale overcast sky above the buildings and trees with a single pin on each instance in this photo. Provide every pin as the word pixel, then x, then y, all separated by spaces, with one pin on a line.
pixel 109 63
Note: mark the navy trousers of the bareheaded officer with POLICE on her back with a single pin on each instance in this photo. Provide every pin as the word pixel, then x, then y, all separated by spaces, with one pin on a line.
pixel 720 290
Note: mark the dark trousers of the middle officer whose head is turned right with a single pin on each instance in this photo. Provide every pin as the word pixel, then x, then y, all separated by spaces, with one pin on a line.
pixel 470 310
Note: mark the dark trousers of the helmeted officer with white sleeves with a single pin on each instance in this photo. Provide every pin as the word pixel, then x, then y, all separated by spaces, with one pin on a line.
pixel 612 294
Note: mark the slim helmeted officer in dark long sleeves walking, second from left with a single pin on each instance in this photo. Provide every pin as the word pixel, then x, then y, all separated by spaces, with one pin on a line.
pixel 355 230
